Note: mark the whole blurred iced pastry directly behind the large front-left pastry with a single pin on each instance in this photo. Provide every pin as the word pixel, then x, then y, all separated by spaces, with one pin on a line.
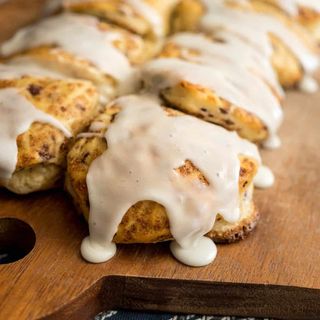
pixel 64 43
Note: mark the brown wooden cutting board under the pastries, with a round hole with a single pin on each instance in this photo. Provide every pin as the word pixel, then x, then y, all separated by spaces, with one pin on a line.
pixel 273 273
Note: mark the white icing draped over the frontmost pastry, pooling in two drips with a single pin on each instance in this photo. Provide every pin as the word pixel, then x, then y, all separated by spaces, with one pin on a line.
pixel 145 146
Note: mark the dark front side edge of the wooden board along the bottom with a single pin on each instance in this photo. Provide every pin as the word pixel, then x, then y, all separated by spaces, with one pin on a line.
pixel 193 297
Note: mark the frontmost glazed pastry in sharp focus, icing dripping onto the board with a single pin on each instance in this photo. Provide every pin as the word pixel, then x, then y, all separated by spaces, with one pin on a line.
pixel 127 141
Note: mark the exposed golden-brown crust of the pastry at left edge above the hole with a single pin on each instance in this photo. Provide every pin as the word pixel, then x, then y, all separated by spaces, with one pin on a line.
pixel 74 103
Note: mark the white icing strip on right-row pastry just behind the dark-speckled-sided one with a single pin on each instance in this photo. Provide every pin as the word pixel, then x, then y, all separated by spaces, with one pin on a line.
pixel 231 48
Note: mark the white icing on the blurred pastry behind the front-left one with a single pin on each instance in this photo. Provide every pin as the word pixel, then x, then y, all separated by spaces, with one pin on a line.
pixel 77 34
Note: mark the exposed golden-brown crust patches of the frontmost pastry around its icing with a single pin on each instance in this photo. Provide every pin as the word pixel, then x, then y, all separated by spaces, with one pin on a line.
pixel 146 221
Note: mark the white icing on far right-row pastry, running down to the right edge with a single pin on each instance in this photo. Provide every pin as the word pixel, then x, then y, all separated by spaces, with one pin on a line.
pixel 255 28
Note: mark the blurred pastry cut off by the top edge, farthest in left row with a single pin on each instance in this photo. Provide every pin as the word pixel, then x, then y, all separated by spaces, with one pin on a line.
pixel 148 18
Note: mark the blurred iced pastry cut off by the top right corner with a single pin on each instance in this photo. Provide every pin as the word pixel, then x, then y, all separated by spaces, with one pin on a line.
pixel 307 13
